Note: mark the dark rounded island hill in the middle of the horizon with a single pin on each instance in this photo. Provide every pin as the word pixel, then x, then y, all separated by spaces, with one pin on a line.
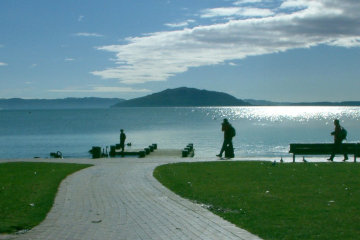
pixel 184 97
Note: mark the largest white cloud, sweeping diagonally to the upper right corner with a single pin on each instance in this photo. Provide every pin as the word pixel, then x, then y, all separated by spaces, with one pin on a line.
pixel 158 56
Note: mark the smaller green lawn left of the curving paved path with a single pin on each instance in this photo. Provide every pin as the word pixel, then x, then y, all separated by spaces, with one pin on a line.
pixel 27 192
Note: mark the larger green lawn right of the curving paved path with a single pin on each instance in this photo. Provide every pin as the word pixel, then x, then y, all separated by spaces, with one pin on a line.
pixel 282 201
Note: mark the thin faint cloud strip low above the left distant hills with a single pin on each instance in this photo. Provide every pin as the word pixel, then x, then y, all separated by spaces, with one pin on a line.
pixel 102 90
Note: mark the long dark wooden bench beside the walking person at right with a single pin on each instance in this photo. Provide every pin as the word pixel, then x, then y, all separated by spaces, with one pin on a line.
pixel 323 149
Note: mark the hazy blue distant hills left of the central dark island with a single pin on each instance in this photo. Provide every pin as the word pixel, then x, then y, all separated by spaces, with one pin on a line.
pixel 66 103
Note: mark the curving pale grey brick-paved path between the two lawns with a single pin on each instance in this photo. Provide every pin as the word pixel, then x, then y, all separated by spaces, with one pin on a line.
pixel 120 199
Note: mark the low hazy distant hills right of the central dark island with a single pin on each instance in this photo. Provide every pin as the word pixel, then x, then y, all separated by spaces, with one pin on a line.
pixel 269 103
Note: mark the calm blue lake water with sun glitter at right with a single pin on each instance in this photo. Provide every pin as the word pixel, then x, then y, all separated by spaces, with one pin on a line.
pixel 261 131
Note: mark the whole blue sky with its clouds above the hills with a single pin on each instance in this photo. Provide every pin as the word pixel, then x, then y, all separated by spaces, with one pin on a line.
pixel 278 50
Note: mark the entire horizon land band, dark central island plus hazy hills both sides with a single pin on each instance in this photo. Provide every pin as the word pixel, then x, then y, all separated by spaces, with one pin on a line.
pixel 177 97
